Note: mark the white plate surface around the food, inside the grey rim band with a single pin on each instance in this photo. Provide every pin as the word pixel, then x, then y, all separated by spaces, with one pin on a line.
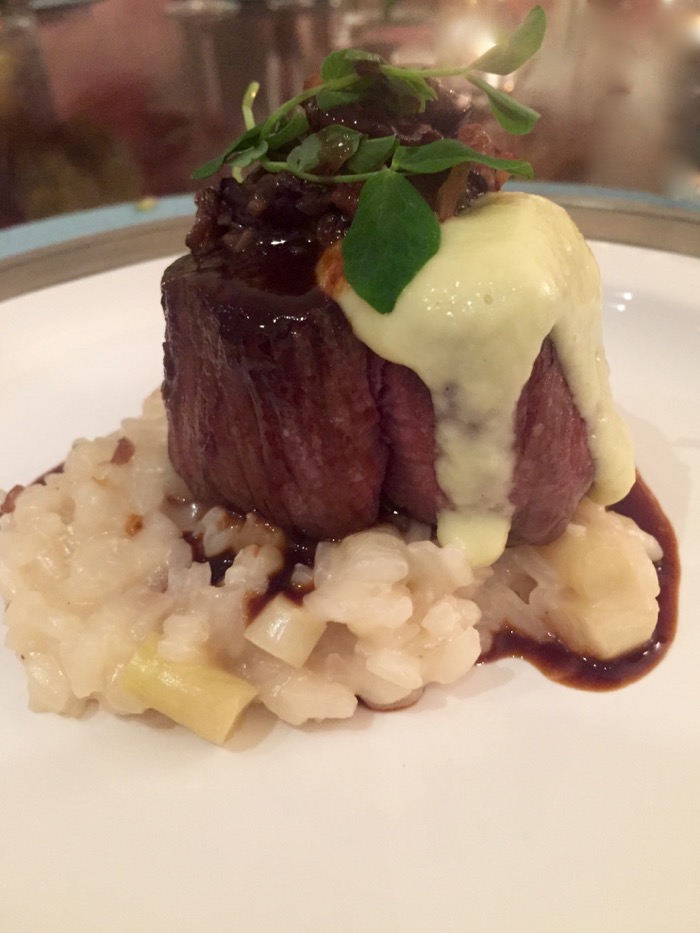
pixel 507 803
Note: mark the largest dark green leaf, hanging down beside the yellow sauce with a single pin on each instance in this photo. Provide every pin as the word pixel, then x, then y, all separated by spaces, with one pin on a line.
pixel 393 234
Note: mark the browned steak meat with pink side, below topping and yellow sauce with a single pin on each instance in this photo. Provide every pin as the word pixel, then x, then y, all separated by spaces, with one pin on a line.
pixel 275 406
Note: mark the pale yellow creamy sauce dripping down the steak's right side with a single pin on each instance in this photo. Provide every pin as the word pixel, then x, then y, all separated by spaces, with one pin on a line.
pixel 510 271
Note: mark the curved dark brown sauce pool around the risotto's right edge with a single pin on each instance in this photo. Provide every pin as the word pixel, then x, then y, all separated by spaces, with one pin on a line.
pixel 561 665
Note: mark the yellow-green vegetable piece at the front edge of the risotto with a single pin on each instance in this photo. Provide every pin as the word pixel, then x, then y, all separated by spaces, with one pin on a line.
pixel 204 699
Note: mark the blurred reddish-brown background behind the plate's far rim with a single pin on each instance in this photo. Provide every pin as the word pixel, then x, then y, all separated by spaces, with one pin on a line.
pixel 105 101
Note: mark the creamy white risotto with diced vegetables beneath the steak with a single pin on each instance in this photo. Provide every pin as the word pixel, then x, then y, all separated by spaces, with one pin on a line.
pixel 121 589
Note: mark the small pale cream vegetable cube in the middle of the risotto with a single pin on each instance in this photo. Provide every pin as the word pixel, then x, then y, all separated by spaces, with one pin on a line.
pixel 286 630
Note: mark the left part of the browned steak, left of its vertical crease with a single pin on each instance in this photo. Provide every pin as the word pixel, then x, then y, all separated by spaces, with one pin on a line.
pixel 269 403
